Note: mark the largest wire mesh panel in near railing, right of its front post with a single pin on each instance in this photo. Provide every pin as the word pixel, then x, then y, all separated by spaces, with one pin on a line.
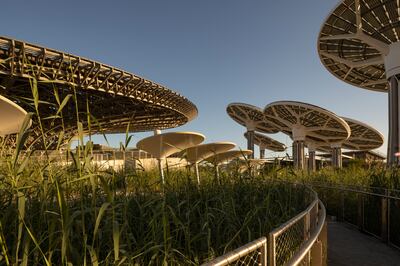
pixel 289 242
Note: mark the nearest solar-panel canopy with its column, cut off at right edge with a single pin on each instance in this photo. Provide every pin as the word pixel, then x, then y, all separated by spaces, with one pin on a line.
pixel 359 44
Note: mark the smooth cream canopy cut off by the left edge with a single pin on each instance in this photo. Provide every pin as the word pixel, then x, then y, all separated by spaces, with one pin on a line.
pixel 11 117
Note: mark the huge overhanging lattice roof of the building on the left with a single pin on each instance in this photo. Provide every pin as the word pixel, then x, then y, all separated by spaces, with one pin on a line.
pixel 113 97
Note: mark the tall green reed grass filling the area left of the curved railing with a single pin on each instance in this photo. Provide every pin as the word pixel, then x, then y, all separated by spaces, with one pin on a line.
pixel 52 213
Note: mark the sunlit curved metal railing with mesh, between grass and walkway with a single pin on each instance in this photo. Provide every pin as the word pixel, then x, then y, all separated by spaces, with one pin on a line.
pixel 300 241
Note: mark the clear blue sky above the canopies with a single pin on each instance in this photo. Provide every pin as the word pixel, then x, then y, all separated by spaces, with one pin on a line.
pixel 212 52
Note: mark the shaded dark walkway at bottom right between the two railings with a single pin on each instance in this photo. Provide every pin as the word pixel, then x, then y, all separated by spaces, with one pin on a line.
pixel 347 246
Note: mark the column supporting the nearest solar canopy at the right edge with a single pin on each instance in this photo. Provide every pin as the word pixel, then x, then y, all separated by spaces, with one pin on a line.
pixel 393 139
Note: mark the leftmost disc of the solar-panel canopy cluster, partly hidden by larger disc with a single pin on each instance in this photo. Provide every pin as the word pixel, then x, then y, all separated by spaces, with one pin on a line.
pixel 251 117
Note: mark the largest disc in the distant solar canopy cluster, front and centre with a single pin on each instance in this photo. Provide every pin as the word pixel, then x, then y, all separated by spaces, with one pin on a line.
pixel 307 122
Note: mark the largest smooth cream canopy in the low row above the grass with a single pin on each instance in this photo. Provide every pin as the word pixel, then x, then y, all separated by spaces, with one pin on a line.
pixel 164 145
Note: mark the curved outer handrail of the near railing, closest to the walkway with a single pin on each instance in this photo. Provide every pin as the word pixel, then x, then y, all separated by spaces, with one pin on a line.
pixel 310 242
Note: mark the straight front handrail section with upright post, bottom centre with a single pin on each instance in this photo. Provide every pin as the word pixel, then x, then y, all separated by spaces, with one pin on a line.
pixel 238 253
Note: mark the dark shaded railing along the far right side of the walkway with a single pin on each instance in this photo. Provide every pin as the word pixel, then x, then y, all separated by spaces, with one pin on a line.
pixel 375 211
